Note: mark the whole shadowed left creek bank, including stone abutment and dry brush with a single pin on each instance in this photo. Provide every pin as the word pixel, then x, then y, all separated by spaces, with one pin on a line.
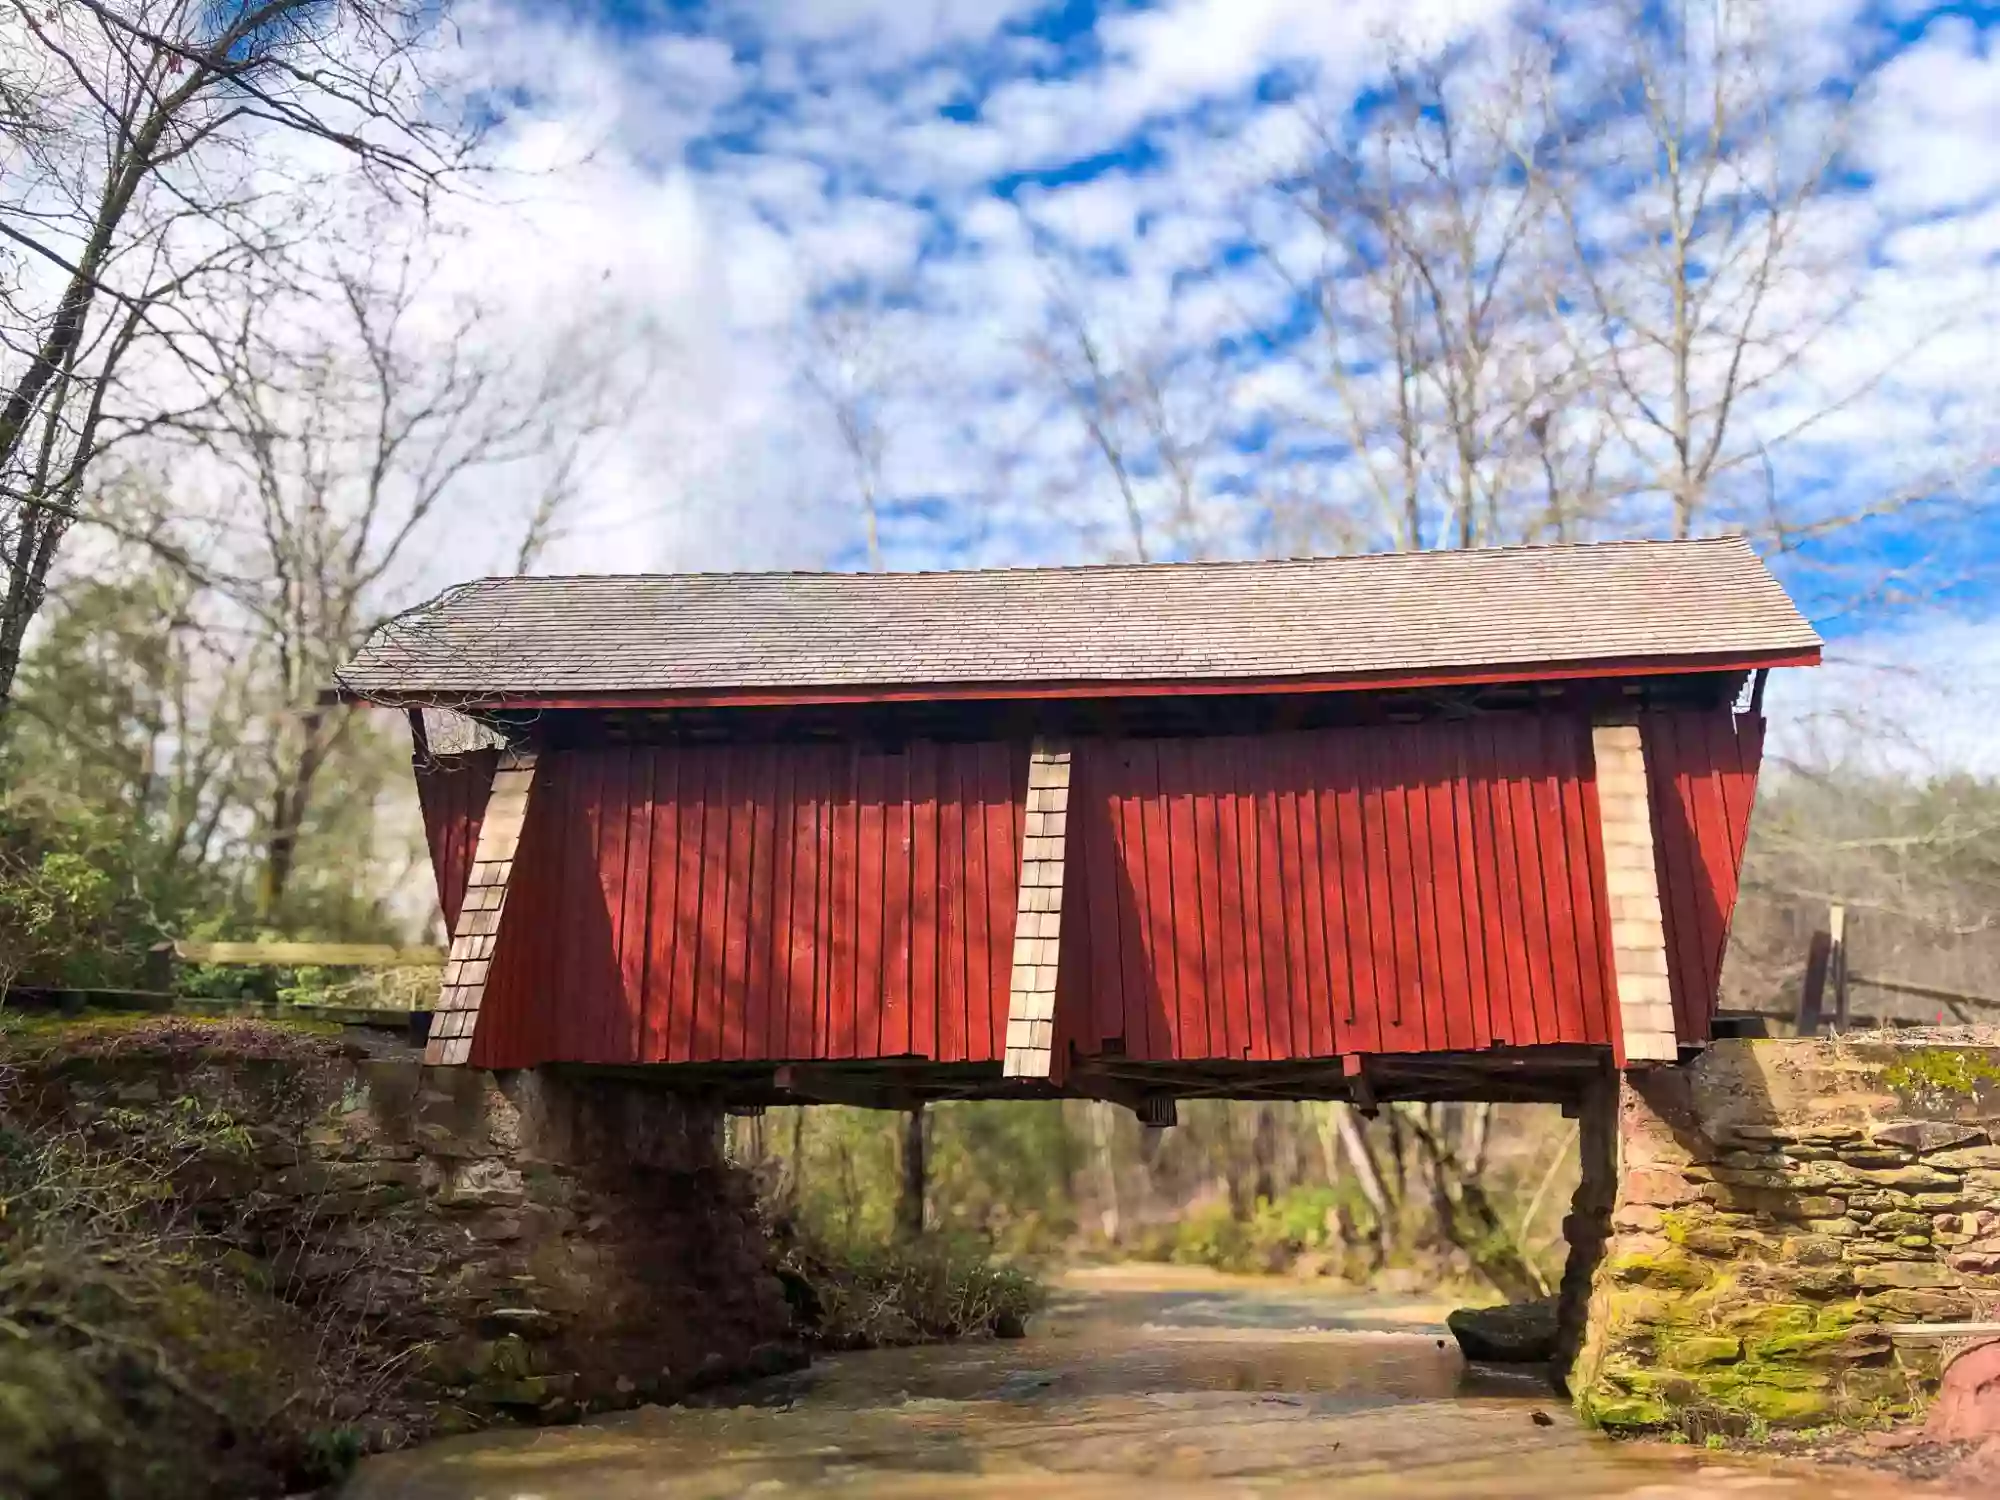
pixel 239 1255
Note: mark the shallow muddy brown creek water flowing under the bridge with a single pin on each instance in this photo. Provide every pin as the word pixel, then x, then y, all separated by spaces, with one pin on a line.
pixel 1133 1385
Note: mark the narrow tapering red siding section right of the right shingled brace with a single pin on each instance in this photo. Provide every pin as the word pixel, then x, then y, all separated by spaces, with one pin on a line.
pixel 1701 779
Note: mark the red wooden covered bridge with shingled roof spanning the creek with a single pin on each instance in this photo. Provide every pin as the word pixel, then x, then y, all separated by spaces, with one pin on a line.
pixel 1433 825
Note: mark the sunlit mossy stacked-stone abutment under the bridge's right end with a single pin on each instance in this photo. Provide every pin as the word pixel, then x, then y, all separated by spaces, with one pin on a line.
pixel 1783 1209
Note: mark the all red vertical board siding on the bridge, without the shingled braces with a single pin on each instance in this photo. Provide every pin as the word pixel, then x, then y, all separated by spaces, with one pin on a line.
pixel 1395 889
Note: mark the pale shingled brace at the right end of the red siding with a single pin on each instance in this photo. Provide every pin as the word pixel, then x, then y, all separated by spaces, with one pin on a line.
pixel 1633 881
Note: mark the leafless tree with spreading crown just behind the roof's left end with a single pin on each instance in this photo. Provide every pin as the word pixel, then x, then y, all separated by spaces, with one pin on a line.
pixel 347 455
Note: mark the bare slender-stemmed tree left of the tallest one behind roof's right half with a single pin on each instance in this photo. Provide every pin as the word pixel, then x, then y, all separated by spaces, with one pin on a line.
pixel 1429 371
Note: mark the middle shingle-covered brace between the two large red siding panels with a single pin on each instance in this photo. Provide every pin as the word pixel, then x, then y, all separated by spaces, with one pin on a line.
pixel 1031 1003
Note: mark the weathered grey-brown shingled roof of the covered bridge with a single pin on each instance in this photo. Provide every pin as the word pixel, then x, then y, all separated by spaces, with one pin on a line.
pixel 1313 619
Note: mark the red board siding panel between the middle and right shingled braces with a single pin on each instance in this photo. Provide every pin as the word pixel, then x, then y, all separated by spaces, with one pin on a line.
pixel 1411 889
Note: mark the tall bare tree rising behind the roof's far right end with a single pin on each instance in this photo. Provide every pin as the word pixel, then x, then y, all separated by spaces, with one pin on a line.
pixel 1693 179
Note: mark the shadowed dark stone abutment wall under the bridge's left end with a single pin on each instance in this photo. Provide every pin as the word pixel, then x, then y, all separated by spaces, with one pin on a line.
pixel 485 1245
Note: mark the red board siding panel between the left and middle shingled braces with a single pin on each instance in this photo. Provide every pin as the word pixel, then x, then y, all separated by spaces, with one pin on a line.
pixel 743 903
